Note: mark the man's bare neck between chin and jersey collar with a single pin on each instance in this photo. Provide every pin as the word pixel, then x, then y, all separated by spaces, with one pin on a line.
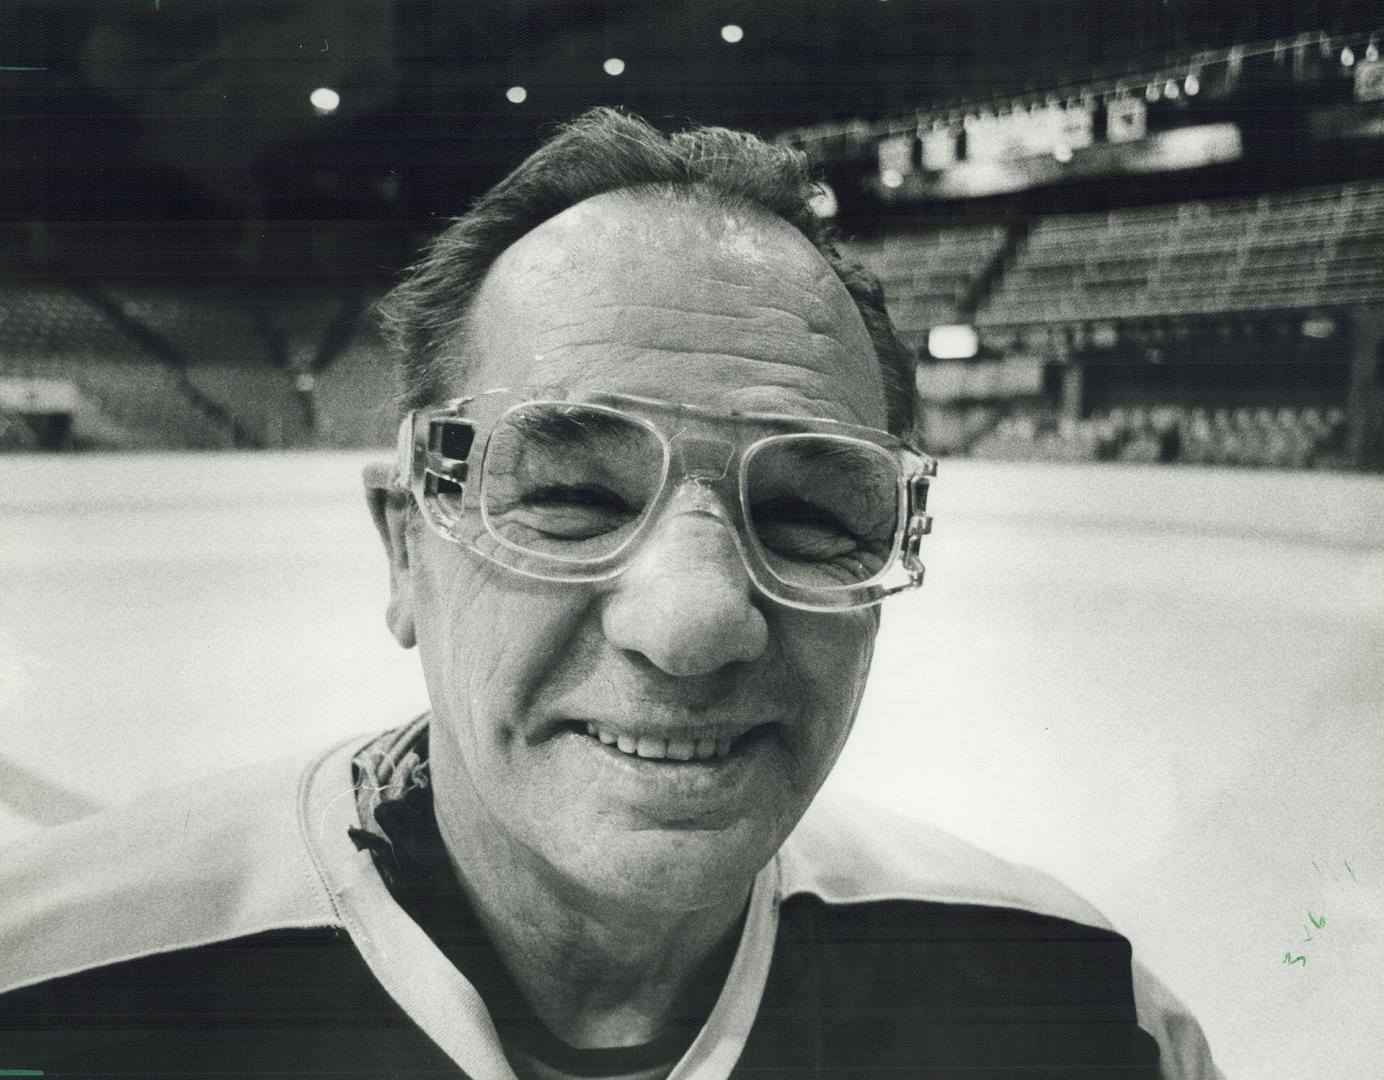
pixel 599 971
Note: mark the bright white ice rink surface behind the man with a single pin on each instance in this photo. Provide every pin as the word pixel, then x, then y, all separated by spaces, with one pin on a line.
pixel 1163 686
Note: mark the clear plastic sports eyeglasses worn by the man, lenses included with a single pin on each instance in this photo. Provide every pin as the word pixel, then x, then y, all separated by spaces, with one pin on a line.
pixel 567 488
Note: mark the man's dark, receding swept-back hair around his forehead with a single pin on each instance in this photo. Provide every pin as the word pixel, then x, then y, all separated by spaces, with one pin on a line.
pixel 601 152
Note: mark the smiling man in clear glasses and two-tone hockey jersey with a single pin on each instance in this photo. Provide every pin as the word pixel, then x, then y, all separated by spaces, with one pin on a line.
pixel 650 492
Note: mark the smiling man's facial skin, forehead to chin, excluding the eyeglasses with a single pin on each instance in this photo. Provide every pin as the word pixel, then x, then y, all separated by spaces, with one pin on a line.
pixel 733 311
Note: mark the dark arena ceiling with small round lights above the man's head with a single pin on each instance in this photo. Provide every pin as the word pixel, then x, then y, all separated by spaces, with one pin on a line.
pixel 204 110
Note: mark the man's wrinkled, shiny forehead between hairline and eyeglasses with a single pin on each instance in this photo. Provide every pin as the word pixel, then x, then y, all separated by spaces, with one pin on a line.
pixel 677 300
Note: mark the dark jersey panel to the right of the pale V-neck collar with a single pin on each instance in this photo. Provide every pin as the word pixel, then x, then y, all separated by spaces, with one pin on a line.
pixel 946 991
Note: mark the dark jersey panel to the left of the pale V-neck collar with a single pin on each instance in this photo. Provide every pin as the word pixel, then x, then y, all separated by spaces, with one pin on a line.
pixel 290 1003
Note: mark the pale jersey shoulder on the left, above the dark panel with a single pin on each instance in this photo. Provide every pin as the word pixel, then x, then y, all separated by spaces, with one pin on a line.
pixel 200 863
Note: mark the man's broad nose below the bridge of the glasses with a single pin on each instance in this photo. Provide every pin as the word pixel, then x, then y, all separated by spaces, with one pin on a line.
pixel 687 603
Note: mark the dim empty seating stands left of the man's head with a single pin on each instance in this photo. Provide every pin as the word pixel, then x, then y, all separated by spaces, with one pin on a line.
pixel 200 368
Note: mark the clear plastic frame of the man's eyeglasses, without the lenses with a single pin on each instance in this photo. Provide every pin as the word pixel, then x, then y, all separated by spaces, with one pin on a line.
pixel 438 447
